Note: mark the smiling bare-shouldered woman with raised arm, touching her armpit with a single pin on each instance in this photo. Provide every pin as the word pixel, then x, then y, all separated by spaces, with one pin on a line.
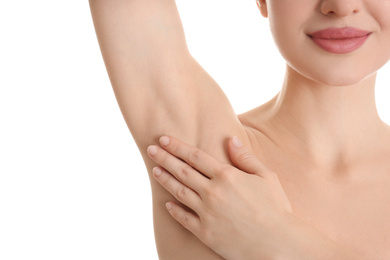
pixel 321 188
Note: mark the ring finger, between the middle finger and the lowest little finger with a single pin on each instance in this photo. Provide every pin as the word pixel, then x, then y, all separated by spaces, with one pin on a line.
pixel 181 192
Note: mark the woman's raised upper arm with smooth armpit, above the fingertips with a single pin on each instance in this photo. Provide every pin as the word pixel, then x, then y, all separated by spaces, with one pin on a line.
pixel 159 86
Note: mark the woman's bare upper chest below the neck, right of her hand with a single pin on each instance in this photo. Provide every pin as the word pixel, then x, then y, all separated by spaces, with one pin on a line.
pixel 350 205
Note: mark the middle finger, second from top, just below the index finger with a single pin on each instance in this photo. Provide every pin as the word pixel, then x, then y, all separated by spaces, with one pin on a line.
pixel 179 169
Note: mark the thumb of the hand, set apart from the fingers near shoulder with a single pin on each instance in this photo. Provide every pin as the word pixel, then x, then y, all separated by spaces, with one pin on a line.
pixel 244 159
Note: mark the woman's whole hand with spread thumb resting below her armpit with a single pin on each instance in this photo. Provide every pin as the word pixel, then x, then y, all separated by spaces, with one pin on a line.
pixel 238 215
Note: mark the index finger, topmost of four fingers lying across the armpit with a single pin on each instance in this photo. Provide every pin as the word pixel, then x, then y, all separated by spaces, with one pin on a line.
pixel 198 159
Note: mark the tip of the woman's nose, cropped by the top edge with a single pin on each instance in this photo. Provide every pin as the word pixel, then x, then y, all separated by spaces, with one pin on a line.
pixel 340 8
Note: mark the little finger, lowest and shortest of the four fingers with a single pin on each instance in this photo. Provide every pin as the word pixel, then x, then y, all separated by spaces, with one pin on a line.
pixel 185 218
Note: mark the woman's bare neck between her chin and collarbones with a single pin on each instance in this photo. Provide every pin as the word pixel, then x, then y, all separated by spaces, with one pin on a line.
pixel 330 125
